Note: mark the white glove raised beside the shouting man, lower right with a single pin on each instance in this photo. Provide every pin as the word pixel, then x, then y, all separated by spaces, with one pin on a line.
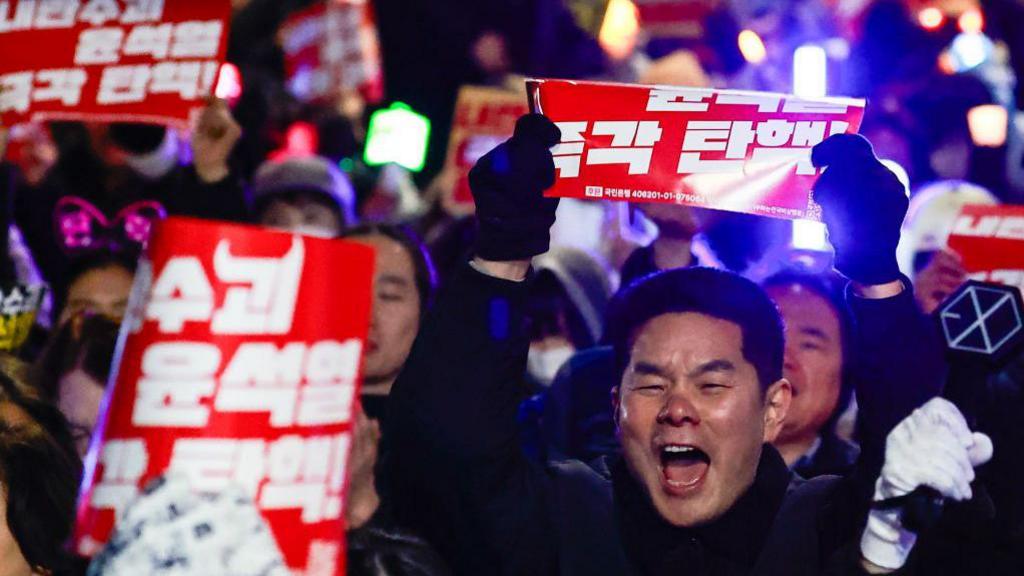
pixel 931 447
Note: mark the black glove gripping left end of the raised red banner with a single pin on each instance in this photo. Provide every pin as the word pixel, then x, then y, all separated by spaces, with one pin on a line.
pixel 508 186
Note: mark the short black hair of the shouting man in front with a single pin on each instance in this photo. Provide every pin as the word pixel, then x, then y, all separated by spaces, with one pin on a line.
pixel 702 291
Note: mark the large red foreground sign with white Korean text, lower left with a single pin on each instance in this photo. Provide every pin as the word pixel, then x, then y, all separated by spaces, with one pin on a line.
pixel 240 363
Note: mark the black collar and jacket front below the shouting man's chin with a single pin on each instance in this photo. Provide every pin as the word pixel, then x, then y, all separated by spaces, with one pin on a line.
pixel 729 546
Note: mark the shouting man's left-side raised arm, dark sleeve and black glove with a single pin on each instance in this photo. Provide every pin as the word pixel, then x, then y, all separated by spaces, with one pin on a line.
pixel 455 468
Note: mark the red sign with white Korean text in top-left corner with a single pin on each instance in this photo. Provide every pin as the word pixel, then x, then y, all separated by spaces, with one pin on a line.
pixel 129 61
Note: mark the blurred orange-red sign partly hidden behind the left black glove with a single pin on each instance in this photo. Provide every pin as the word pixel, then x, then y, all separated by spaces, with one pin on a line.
pixel 484 119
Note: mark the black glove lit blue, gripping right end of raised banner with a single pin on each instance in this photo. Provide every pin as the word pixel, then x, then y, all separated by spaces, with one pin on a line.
pixel 864 205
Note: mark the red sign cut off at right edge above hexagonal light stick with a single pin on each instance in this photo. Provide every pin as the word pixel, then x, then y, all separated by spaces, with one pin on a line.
pixel 991 239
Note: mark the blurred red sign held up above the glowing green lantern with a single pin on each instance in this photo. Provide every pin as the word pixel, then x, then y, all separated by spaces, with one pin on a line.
pixel 330 49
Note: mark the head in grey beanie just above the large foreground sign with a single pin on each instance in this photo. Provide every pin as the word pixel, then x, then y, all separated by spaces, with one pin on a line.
pixel 306 195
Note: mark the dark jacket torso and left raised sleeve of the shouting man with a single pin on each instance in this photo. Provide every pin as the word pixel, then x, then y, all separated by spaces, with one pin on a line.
pixel 457 475
